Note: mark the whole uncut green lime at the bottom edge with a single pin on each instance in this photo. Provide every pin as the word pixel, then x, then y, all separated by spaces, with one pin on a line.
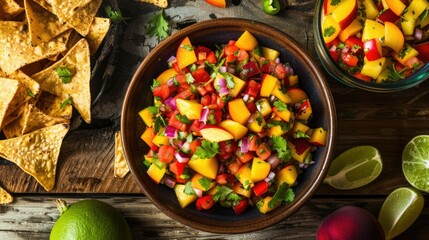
pixel 90 219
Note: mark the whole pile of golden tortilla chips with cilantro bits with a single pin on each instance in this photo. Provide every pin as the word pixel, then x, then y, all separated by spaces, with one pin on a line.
pixel 45 71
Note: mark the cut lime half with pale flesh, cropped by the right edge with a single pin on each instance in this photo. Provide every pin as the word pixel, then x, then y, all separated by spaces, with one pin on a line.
pixel 415 162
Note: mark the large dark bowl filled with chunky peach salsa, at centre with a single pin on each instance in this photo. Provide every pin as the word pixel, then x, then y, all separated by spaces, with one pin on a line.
pixel 228 126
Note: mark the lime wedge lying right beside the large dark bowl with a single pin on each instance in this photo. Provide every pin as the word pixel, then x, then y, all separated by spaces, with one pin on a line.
pixel 354 168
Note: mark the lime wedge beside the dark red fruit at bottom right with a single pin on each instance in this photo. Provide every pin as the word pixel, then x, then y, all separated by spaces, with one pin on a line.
pixel 400 209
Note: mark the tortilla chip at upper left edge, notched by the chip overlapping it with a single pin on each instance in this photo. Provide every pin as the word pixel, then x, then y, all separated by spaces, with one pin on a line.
pixel 15 43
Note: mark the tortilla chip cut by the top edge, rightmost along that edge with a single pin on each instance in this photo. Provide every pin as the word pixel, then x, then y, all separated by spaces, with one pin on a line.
pixel 83 18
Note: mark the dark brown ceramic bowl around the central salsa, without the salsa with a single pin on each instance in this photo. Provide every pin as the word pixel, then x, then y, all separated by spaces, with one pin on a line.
pixel 209 33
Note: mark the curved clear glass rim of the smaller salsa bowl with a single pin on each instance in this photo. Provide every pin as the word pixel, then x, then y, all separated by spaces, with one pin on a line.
pixel 346 78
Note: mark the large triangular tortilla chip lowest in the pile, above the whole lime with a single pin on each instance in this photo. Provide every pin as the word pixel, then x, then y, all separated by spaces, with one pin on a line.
pixel 36 153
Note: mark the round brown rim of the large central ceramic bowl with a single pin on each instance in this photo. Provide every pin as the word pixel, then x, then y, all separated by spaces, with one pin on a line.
pixel 250 25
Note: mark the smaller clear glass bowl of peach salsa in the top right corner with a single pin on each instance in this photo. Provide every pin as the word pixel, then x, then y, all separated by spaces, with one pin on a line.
pixel 379 46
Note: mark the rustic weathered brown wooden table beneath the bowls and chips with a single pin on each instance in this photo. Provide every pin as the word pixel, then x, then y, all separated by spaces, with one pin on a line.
pixel 85 169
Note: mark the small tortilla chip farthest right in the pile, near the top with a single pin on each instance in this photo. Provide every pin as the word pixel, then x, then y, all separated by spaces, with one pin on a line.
pixel 97 32
